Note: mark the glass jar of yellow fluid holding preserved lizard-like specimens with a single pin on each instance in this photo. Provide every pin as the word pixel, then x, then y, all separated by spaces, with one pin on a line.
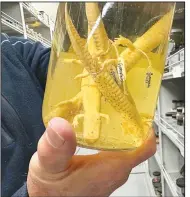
pixel 105 69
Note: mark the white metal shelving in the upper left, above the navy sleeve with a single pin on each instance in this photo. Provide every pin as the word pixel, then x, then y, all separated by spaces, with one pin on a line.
pixel 23 20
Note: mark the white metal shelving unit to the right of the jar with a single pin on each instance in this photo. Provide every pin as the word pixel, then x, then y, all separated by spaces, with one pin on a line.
pixel 170 148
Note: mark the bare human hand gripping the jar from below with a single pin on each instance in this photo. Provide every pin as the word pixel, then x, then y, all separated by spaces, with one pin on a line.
pixel 54 171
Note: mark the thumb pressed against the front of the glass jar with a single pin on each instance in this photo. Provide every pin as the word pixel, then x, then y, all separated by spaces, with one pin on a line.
pixel 57 146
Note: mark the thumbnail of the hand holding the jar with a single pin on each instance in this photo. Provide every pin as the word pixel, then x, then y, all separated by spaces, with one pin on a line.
pixel 53 137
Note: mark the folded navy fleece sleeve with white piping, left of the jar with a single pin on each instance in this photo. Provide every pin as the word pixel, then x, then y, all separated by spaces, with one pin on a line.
pixel 36 56
